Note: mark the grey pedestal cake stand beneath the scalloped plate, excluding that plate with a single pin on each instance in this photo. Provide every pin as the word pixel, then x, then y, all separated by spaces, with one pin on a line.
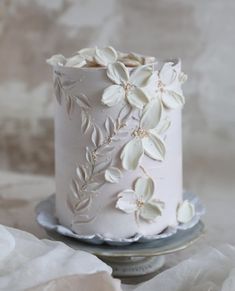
pixel 136 262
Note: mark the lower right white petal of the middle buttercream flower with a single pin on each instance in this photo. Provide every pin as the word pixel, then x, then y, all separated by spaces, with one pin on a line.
pixel 154 147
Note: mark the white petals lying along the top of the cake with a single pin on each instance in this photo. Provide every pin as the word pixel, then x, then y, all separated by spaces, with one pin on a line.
pixel 100 57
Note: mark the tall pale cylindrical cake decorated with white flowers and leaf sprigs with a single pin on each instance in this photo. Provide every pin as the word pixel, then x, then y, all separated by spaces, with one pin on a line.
pixel 118 148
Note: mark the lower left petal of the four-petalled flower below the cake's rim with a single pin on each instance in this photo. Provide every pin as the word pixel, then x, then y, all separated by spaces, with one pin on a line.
pixel 112 95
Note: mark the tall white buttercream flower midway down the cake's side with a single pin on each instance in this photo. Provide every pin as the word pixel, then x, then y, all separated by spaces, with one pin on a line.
pixel 147 137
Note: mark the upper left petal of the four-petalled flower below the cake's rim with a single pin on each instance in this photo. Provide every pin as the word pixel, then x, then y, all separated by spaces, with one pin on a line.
pixel 118 73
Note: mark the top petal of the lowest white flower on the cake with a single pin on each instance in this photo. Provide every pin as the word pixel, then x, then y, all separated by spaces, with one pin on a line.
pixel 144 188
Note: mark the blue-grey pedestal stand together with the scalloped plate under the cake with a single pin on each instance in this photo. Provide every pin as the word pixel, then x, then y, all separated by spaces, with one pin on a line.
pixel 135 259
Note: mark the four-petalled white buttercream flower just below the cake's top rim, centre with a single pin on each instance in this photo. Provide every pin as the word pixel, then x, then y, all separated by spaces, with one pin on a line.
pixel 127 86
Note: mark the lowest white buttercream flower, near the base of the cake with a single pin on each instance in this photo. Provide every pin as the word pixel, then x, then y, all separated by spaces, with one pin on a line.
pixel 140 200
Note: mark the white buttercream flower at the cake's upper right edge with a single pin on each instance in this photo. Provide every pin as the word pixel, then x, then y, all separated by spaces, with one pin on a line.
pixel 168 86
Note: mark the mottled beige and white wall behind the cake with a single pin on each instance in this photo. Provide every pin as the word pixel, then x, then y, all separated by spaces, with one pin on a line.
pixel 201 32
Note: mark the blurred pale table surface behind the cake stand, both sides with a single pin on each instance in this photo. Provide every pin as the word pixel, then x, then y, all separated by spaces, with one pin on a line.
pixel 20 193
